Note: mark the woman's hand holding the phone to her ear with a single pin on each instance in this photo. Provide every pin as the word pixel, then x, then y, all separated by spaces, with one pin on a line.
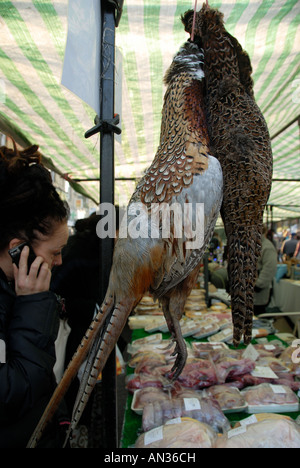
pixel 37 280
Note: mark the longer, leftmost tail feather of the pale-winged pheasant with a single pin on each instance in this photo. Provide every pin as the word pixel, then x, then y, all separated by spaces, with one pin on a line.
pixel 71 371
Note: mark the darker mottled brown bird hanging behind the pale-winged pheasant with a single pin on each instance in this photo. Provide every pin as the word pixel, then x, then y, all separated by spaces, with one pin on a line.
pixel 240 140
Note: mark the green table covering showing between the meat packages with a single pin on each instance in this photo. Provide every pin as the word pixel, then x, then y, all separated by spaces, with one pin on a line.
pixel 132 426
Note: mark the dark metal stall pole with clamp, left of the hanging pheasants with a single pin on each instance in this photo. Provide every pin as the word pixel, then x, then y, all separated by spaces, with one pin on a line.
pixel 106 124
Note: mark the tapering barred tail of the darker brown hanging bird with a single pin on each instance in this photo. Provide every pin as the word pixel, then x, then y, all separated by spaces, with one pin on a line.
pixel 244 247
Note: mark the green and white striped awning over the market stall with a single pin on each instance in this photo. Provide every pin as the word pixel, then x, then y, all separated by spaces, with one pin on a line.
pixel 36 108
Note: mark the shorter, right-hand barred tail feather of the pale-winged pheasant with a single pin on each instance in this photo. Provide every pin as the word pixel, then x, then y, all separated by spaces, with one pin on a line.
pixel 110 333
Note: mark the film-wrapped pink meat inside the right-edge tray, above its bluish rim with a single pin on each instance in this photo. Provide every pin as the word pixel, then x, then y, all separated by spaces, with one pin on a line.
pixel 265 394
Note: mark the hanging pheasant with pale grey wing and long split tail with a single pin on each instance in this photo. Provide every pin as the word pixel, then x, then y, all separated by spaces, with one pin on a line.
pixel 166 230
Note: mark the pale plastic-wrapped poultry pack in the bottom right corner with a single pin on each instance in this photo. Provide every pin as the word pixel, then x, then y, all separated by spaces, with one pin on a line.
pixel 268 433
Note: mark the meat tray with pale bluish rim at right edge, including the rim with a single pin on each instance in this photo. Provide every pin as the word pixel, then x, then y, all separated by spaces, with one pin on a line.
pixel 270 398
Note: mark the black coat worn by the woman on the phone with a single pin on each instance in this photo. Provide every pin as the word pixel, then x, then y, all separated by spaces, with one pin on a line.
pixel 28 327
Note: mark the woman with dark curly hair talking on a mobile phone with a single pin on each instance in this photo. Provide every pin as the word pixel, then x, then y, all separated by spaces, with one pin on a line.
pixel 31 213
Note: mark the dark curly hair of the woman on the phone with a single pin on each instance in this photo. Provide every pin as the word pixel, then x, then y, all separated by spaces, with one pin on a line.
pixel 29 203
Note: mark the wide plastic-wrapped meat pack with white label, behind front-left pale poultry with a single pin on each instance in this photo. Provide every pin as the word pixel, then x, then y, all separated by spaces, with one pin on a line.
pixel 206 410
